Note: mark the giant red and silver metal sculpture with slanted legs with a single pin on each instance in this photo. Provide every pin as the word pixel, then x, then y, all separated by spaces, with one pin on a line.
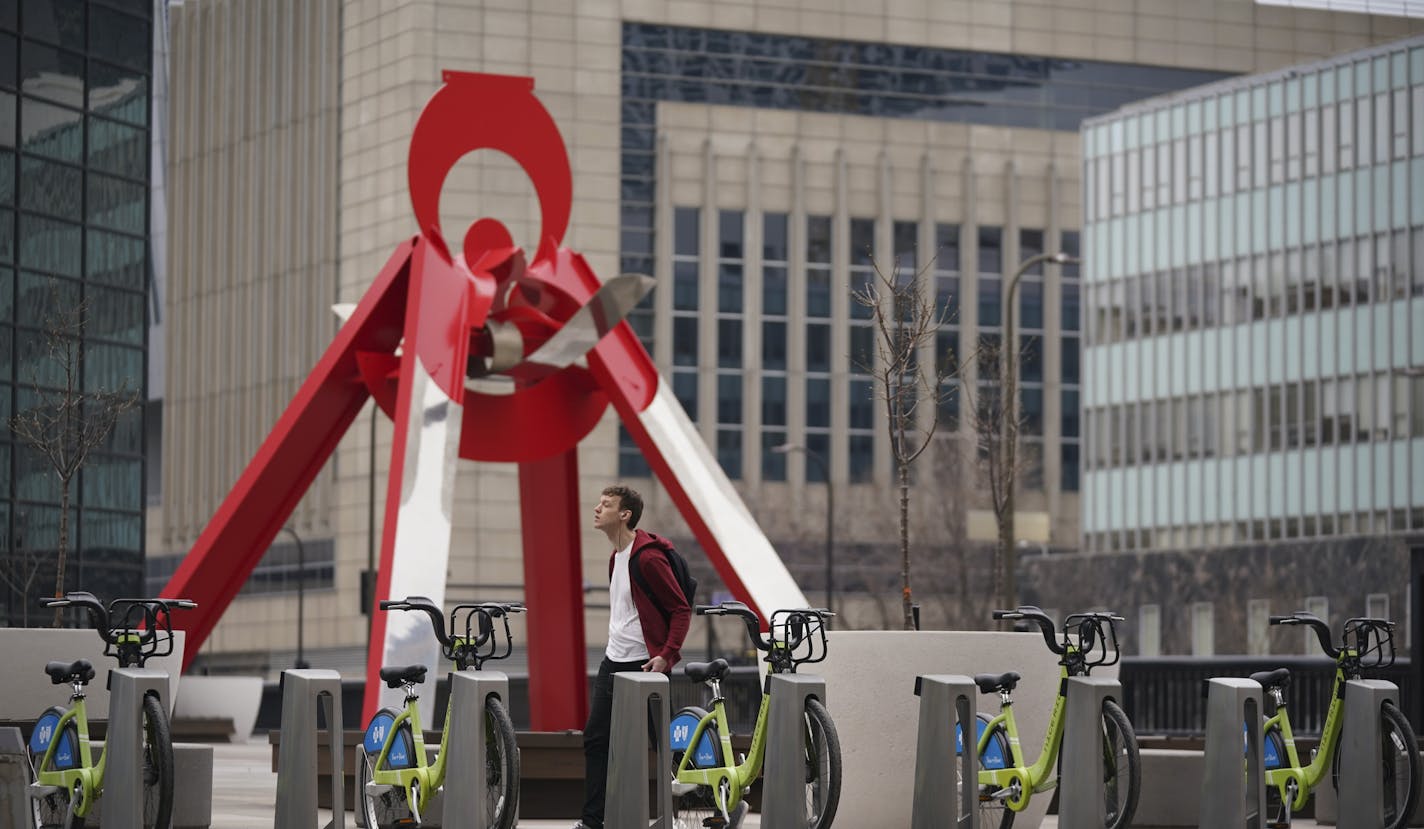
pixel 429 324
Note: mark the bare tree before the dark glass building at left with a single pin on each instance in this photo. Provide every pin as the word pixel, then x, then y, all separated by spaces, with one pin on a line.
pixel 68 422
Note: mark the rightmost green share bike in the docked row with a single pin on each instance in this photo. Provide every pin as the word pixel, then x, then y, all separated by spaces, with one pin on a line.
pixel 1368 643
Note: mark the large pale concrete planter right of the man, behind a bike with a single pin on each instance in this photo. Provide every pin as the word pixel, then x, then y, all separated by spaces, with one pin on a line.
pixel 871 696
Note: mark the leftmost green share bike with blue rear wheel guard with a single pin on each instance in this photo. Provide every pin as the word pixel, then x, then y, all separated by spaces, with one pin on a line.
pixel 68 781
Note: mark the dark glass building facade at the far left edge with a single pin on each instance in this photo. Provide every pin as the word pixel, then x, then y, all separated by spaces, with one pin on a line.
pixel 75 172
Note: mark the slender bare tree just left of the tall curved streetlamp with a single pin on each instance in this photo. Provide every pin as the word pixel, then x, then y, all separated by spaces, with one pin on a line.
pixel 906 321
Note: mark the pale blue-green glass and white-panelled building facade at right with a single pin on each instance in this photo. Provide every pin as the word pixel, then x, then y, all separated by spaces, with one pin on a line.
pixel 1255 287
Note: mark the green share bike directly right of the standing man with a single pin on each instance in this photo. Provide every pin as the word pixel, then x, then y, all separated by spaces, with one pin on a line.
pixel 708 783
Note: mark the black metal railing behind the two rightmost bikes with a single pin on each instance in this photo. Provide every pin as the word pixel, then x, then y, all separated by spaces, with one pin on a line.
pixel 1164 696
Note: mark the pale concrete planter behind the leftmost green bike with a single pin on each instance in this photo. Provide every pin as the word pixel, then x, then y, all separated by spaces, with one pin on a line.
pixel 26 690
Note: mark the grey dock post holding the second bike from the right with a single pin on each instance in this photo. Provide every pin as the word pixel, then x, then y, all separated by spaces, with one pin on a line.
pixel 1082 800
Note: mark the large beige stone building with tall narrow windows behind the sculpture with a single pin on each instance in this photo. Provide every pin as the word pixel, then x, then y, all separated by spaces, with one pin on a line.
pixel 760 160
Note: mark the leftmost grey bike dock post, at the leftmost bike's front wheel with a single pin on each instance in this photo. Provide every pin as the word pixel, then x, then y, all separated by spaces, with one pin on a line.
pixel 125 744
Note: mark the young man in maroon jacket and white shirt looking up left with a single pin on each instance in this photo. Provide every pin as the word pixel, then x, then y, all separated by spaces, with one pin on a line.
pixel 640 636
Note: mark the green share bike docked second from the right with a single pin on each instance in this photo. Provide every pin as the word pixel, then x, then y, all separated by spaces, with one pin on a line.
pixel 1006 780
